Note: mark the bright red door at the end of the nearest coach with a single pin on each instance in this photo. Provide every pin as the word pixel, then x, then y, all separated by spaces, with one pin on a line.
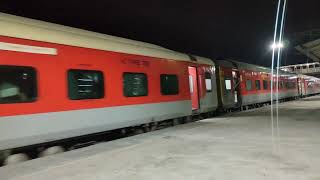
pixel 194 87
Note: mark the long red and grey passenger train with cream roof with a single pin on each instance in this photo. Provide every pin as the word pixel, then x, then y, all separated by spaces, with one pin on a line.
pixel 59 83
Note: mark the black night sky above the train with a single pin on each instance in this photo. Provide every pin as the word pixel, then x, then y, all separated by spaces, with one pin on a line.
pixel 238 29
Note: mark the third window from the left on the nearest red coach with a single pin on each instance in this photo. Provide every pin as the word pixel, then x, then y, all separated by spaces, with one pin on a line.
pixel 135 84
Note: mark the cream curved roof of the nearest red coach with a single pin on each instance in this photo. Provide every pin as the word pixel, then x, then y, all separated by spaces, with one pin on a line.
pixel 25 28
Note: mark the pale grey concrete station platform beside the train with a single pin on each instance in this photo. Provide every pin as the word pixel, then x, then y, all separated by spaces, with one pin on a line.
pixel 234 146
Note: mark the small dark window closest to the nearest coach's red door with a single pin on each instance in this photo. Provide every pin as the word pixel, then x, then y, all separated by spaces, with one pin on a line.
pixel 169 84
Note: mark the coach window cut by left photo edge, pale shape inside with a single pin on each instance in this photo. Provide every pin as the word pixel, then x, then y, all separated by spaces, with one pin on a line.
pixel 18 84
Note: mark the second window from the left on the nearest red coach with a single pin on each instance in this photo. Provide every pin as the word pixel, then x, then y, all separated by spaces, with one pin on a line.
pixel 85 84
